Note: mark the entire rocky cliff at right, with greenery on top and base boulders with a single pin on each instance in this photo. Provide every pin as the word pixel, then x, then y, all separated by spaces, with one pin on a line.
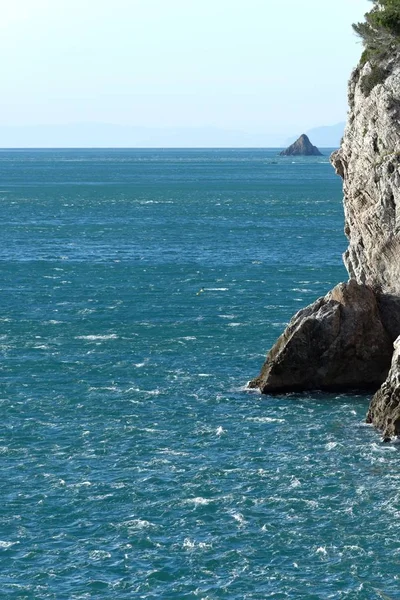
pixel 345 339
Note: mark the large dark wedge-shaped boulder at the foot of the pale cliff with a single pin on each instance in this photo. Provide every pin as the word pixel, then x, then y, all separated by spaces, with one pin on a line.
pixel 338 342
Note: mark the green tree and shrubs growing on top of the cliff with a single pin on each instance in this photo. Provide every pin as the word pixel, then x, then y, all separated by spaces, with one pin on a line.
pixel 380 32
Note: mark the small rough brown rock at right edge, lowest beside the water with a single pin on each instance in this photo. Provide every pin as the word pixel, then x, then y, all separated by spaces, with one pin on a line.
pixel 384 411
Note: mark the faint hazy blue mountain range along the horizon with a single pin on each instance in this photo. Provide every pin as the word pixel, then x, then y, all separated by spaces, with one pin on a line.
pixel 104 135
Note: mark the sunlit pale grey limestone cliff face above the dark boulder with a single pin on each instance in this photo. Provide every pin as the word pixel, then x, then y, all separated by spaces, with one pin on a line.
pixel 369 162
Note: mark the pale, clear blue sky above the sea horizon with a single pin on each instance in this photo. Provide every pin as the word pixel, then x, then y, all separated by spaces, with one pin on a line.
pixel 263 67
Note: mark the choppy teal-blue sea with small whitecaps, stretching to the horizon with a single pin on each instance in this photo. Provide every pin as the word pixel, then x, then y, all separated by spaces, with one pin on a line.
pixel 140 292
